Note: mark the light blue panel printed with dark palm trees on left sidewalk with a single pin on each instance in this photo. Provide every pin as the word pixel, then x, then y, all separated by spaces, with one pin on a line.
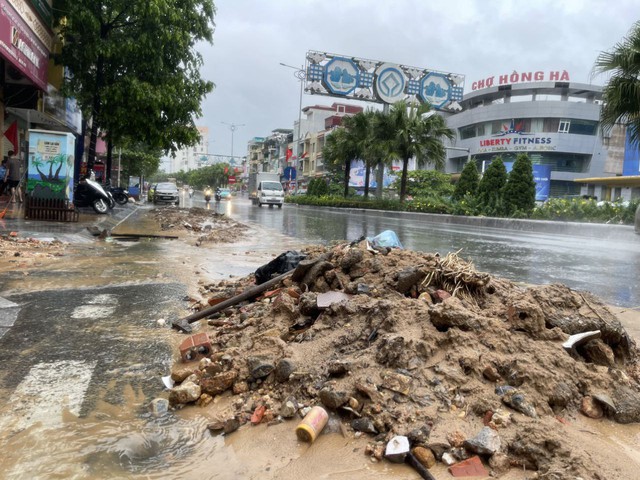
pixel 51 164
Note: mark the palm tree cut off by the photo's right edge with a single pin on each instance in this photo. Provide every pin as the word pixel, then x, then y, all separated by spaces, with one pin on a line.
pixel 622 93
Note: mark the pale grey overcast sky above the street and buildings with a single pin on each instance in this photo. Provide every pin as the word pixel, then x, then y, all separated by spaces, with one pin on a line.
pixel 472 37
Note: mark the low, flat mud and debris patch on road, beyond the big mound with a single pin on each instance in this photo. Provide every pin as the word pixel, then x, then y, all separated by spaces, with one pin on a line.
pixel 204 225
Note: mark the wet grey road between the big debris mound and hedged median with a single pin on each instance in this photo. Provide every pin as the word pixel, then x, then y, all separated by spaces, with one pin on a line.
pixel 607 265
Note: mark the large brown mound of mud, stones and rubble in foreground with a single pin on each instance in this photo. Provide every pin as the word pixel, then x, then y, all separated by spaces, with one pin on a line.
pixel 396 342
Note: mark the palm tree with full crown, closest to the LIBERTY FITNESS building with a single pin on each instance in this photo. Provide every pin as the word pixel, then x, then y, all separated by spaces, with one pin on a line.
pixel 419 132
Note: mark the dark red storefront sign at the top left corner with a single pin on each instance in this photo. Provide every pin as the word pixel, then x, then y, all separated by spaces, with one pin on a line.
pixel 21 48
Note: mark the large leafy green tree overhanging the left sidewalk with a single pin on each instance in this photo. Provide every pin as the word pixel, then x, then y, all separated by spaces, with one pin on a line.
pixel 134 69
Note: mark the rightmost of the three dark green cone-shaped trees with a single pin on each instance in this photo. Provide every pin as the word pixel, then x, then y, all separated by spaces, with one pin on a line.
pixel 520 189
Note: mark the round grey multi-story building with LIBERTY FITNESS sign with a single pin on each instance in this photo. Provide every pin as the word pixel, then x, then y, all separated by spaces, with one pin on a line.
pixel 557 123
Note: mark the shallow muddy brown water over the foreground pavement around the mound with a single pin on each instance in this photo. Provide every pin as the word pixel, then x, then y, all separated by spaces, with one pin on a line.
pixel 77 379
